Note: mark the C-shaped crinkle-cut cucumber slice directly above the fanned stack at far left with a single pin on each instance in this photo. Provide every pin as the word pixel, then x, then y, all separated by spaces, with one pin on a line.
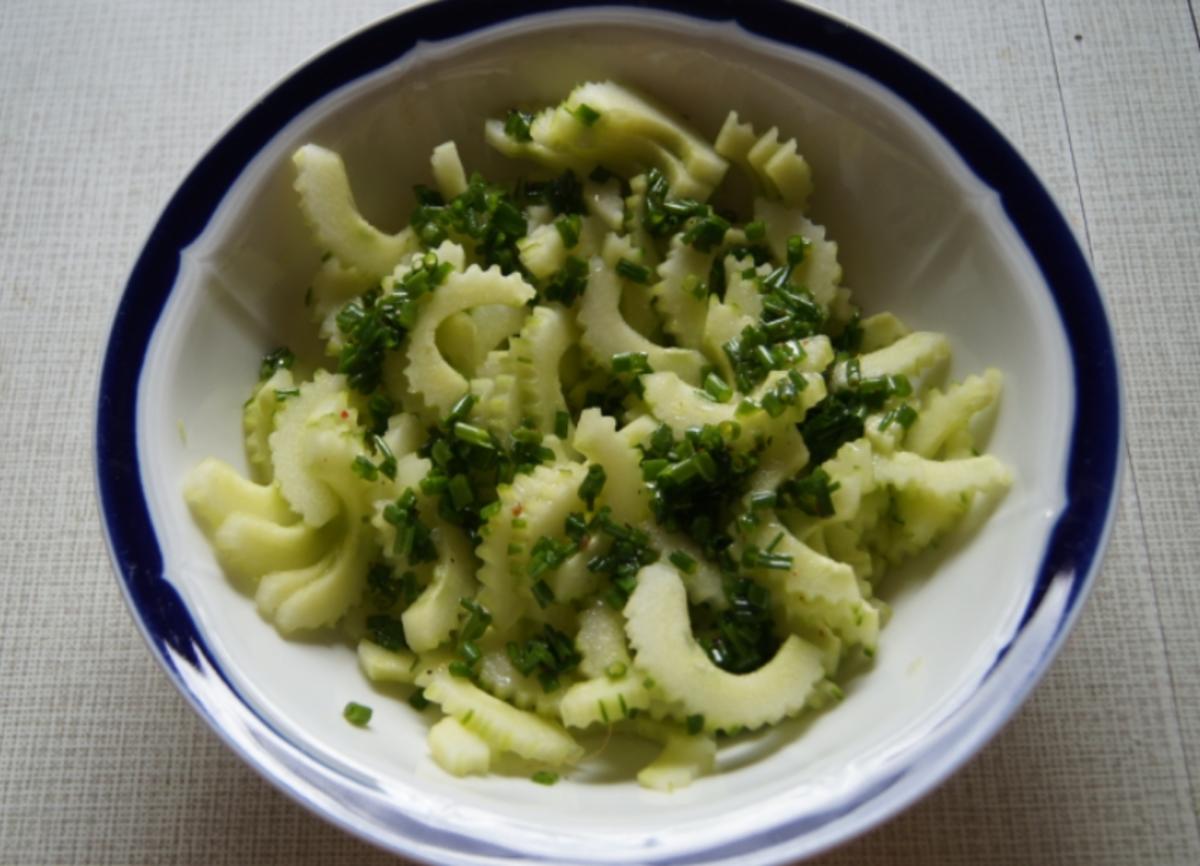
pixel 323 398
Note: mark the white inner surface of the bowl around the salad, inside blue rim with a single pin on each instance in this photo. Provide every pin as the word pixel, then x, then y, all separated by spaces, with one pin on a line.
pixel 920 236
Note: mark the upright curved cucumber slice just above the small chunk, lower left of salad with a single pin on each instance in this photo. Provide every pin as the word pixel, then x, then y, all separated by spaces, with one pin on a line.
pixel 435 615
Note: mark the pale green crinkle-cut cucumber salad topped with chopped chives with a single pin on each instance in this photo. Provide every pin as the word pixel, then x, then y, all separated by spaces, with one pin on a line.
pixel 591 452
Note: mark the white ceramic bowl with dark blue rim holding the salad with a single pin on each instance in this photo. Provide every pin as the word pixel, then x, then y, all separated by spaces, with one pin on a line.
pixel 939 220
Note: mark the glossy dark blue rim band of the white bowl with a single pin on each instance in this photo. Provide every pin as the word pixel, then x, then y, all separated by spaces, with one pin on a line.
pixel 1072 554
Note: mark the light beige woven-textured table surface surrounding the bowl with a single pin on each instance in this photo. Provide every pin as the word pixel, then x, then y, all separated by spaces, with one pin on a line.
pixel 104 106
